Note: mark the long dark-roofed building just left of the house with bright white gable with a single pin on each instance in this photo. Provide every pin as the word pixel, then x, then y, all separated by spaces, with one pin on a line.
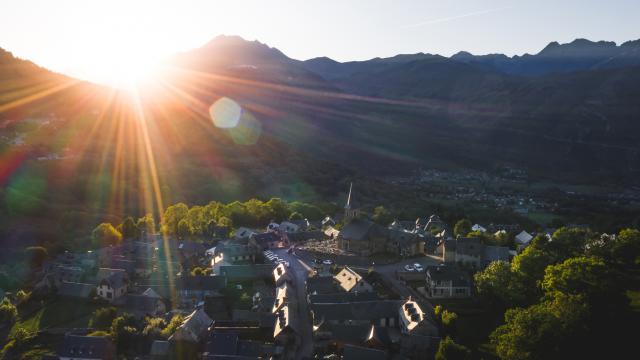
pixel 380 313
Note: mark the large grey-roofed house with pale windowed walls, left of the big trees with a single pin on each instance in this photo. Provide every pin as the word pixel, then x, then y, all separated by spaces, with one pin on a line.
pixel 447 281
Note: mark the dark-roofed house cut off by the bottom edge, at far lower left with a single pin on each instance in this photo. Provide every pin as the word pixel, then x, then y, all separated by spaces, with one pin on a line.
pixel 76 347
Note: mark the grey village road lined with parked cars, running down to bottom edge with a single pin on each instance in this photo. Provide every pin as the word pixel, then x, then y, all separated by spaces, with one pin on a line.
pixel 300 273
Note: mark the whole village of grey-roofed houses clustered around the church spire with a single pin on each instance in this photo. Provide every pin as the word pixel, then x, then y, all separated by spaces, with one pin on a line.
pixel 293 290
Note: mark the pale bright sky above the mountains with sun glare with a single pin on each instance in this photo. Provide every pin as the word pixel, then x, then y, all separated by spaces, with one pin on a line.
pixel 83 38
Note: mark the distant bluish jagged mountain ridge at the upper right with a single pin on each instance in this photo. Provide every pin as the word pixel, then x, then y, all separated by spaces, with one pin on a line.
pixel 578 55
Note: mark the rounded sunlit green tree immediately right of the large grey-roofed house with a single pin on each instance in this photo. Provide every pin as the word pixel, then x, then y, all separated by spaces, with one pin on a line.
pixel 498 283
